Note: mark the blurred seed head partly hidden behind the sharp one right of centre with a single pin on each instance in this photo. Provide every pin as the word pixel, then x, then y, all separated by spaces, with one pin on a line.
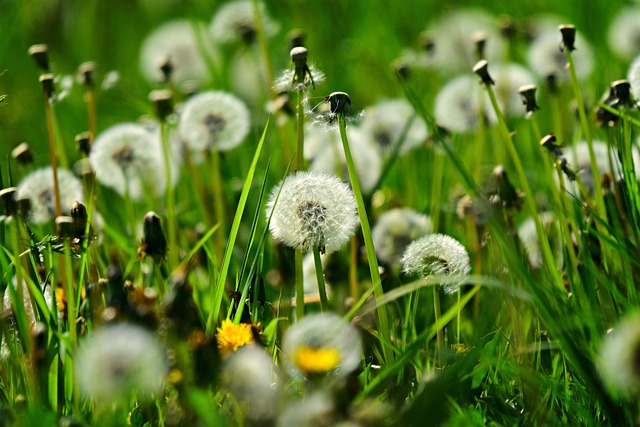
pixel 395 230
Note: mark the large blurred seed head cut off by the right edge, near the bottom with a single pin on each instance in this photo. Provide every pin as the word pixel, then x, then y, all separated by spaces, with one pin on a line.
pixel 619 354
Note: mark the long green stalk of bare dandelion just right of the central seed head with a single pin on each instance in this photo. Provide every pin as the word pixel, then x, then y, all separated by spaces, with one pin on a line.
pixel 368 241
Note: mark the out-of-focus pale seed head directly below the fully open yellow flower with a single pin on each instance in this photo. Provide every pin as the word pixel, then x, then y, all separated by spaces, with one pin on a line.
pixel 250 375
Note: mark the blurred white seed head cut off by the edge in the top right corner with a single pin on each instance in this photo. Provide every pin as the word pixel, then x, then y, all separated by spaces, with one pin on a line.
pixel 624 33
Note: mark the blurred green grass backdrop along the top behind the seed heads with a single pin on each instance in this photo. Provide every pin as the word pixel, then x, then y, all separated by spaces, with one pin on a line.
pixel 353 42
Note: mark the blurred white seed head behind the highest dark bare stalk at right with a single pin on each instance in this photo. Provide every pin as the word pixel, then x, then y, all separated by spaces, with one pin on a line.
pixel 546 57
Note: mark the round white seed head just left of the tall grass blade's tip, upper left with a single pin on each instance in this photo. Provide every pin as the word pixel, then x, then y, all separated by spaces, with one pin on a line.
pixel 213 120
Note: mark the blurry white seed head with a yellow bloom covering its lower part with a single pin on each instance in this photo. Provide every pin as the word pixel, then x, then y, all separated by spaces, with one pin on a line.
pixel 323 331
